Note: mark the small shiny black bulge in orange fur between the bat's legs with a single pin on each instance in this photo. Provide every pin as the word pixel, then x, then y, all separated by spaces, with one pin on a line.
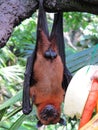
pixel 50 54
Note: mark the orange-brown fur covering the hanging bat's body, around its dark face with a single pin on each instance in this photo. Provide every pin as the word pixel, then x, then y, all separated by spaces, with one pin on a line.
pixel 49 75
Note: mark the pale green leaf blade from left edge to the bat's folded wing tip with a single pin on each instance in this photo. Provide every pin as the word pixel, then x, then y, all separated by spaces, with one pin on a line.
pixel 12 100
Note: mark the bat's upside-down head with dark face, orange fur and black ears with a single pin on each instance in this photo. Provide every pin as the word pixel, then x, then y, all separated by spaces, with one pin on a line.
pixel 49 115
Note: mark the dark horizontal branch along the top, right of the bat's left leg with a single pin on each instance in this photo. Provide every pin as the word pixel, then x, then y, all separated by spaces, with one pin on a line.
pixel 90 6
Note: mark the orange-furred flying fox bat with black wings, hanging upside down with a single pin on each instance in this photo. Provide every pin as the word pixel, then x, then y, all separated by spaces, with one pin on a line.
pixel 46 75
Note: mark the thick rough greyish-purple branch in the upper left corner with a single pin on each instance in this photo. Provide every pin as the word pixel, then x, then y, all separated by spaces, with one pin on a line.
pixel 12 12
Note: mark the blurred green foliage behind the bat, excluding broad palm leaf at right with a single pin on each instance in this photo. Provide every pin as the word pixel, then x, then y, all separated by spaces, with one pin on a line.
pixel 80 32
